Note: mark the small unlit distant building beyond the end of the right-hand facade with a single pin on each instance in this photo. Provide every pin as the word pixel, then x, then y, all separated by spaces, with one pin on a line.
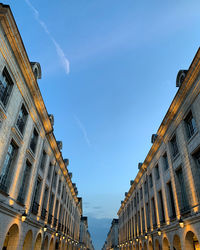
pixel 112 242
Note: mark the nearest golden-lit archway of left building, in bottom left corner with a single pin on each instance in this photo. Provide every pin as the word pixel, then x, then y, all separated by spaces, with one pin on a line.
pixel 12 238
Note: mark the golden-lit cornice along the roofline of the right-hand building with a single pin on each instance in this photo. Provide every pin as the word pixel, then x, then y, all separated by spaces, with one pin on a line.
pixel 181 94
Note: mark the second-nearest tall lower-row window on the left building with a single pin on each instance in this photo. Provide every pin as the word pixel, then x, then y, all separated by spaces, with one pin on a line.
pixel 25 183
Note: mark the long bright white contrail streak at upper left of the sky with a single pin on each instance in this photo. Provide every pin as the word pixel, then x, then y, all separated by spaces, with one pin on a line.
pixel 60 52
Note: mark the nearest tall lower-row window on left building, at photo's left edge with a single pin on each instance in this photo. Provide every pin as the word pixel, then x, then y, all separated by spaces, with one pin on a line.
pixel 7 169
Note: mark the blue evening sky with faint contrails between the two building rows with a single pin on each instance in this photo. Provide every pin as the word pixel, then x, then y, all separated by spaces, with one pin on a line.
pixel 109 72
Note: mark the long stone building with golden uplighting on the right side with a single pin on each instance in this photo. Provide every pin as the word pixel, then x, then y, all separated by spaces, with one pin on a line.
pixel 161 210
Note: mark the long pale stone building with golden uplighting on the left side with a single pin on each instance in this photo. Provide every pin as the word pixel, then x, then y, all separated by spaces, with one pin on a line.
pixel 39 207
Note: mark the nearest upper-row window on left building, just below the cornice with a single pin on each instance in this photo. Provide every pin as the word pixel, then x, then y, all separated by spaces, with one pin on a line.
pixel 6 85
